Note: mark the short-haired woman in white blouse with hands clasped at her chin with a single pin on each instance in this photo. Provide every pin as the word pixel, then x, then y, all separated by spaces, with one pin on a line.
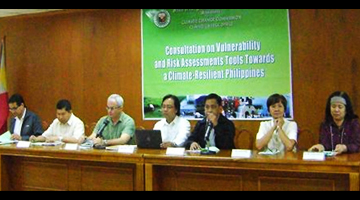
pixel 278 134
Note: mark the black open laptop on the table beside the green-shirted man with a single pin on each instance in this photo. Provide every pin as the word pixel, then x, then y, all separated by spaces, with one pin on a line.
pixel 148 138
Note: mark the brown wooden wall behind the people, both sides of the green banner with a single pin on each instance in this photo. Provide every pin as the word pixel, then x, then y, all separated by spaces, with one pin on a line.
pixel 86 55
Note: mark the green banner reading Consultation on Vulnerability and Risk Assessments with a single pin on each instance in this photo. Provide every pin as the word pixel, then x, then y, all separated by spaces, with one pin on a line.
pixel 243 55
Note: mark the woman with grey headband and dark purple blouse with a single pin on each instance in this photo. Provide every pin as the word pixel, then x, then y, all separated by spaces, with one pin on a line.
pixel 340 131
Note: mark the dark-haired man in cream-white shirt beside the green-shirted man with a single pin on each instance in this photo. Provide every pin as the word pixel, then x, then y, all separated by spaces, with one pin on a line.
pixel 65 128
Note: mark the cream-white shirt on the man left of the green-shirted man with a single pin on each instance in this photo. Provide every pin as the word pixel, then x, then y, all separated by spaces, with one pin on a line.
pixel 74 127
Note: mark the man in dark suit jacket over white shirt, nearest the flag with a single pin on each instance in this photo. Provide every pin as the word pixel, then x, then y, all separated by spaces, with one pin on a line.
pixel 24 122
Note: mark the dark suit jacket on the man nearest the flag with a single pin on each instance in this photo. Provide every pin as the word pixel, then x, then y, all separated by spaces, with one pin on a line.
pixel 31 125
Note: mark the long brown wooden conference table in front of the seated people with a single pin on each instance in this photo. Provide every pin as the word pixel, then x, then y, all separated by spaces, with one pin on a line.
pixel 54 168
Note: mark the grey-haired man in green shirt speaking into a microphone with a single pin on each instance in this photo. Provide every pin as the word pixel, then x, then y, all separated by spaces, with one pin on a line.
pixel 117 127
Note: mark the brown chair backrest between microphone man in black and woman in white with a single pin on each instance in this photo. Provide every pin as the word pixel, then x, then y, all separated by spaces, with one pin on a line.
pixel 244 139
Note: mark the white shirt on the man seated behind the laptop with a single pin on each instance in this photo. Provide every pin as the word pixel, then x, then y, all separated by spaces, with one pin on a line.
pixel 177 131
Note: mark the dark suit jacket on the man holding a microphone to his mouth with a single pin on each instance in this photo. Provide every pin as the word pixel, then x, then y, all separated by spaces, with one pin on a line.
pixel 224 134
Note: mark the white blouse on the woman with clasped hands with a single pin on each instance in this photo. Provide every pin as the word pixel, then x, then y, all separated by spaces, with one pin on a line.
pixel 290 129
